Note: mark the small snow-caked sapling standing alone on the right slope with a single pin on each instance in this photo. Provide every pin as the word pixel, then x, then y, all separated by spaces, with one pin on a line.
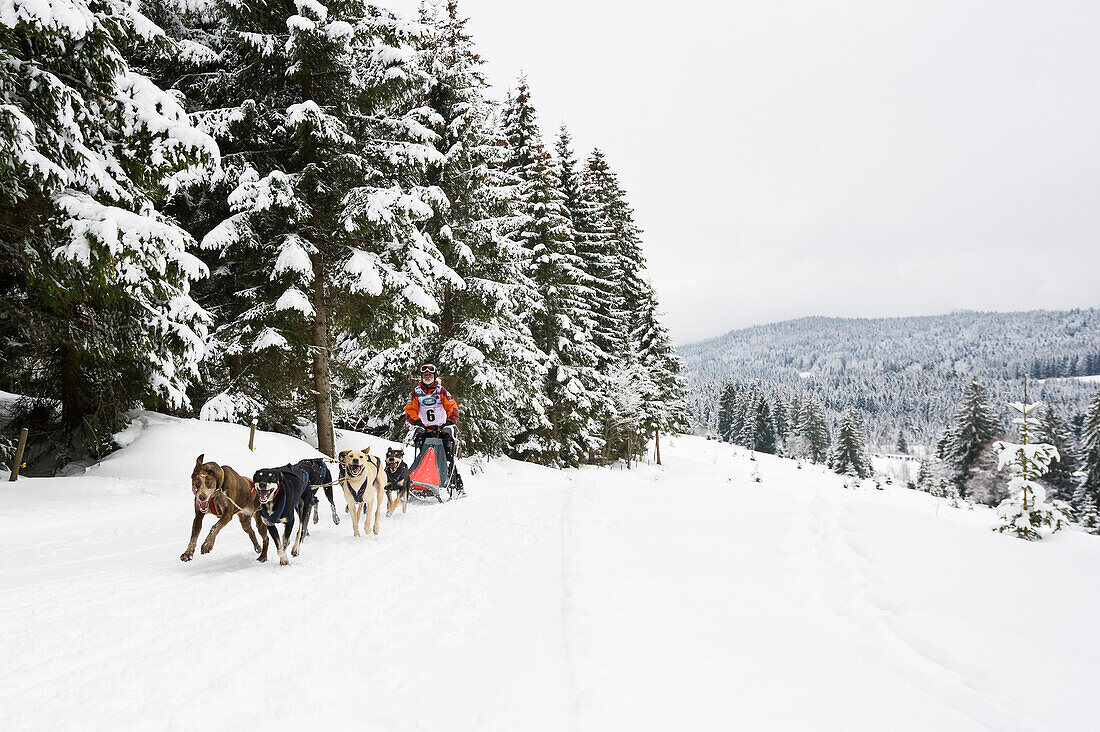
pixel 1027 512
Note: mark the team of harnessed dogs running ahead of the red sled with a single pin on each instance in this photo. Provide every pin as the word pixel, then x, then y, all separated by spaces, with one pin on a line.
pixel 278 498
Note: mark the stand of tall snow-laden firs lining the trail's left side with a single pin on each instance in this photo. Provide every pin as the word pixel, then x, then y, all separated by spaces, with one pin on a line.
pixel 279 212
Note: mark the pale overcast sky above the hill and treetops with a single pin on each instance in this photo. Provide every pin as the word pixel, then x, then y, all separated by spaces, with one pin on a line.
pixel 849 158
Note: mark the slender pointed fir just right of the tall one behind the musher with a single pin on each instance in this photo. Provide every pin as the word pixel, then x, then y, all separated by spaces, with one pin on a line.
pixel 558 319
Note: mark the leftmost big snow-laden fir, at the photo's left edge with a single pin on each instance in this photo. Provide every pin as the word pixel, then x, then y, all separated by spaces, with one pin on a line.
pixel 96 313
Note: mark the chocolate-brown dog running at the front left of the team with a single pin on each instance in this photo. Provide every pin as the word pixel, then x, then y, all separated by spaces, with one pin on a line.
pixel 221 491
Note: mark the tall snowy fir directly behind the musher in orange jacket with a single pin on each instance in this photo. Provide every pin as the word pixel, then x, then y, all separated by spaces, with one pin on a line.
pixel 478 338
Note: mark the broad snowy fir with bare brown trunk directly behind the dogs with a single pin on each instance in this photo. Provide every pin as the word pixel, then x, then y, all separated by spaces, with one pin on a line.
pixel 315 108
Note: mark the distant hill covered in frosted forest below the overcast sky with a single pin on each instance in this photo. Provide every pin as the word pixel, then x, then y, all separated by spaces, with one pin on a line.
pixel 906 375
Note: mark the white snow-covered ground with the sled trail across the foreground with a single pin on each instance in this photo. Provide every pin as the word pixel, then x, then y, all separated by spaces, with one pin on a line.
pixel 679 597
